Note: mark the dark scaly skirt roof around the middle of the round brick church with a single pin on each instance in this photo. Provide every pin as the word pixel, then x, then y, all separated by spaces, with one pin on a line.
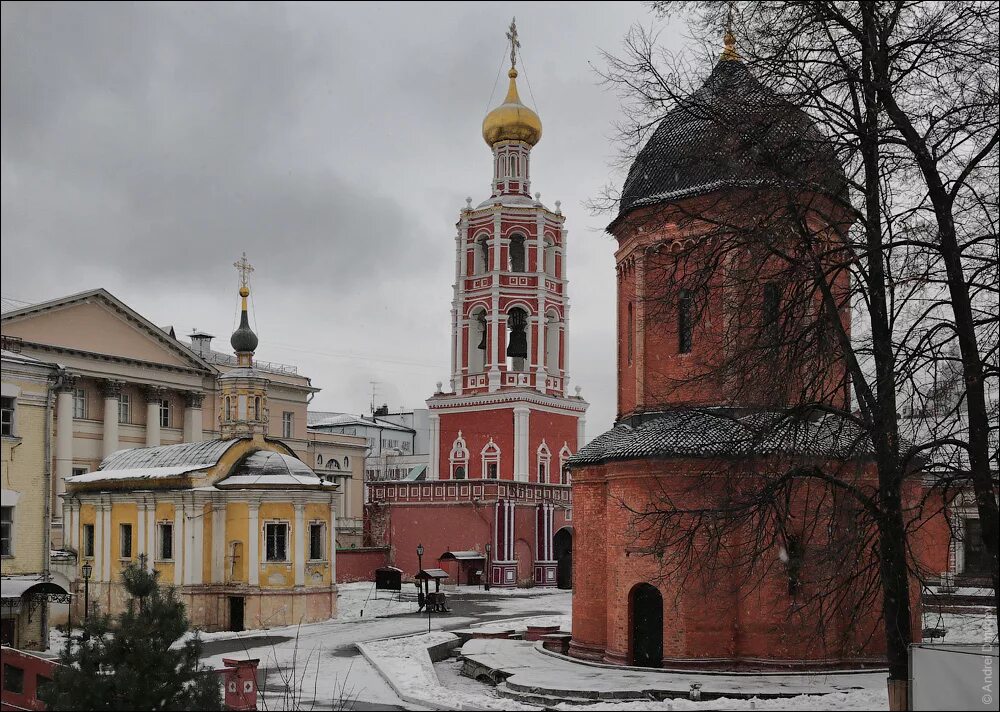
pixel 694 433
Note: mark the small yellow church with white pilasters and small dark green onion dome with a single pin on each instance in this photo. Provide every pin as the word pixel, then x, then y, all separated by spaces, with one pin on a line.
pixel 243 529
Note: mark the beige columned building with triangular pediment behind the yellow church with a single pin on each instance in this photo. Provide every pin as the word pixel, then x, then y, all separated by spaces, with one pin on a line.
pixel 128 383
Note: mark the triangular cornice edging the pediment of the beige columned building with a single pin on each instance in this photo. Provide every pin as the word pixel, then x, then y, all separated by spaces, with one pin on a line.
pixel 103 297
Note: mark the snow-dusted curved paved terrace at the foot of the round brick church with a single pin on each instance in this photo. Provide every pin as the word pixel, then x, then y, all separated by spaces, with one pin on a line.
pixel 539 677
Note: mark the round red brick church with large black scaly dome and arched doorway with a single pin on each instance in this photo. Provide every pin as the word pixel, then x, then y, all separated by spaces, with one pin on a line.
pixel 690 433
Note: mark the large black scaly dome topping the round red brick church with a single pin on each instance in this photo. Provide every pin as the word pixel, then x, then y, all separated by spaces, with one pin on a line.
pixel 732 132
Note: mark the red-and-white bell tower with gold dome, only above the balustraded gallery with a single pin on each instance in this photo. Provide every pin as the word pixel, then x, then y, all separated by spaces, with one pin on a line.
pixel 510 312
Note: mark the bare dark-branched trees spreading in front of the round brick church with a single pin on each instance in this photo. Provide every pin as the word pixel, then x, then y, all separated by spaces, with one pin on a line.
pixel 846 267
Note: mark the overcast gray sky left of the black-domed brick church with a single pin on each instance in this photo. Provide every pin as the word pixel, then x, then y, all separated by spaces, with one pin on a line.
pixel 146 146
